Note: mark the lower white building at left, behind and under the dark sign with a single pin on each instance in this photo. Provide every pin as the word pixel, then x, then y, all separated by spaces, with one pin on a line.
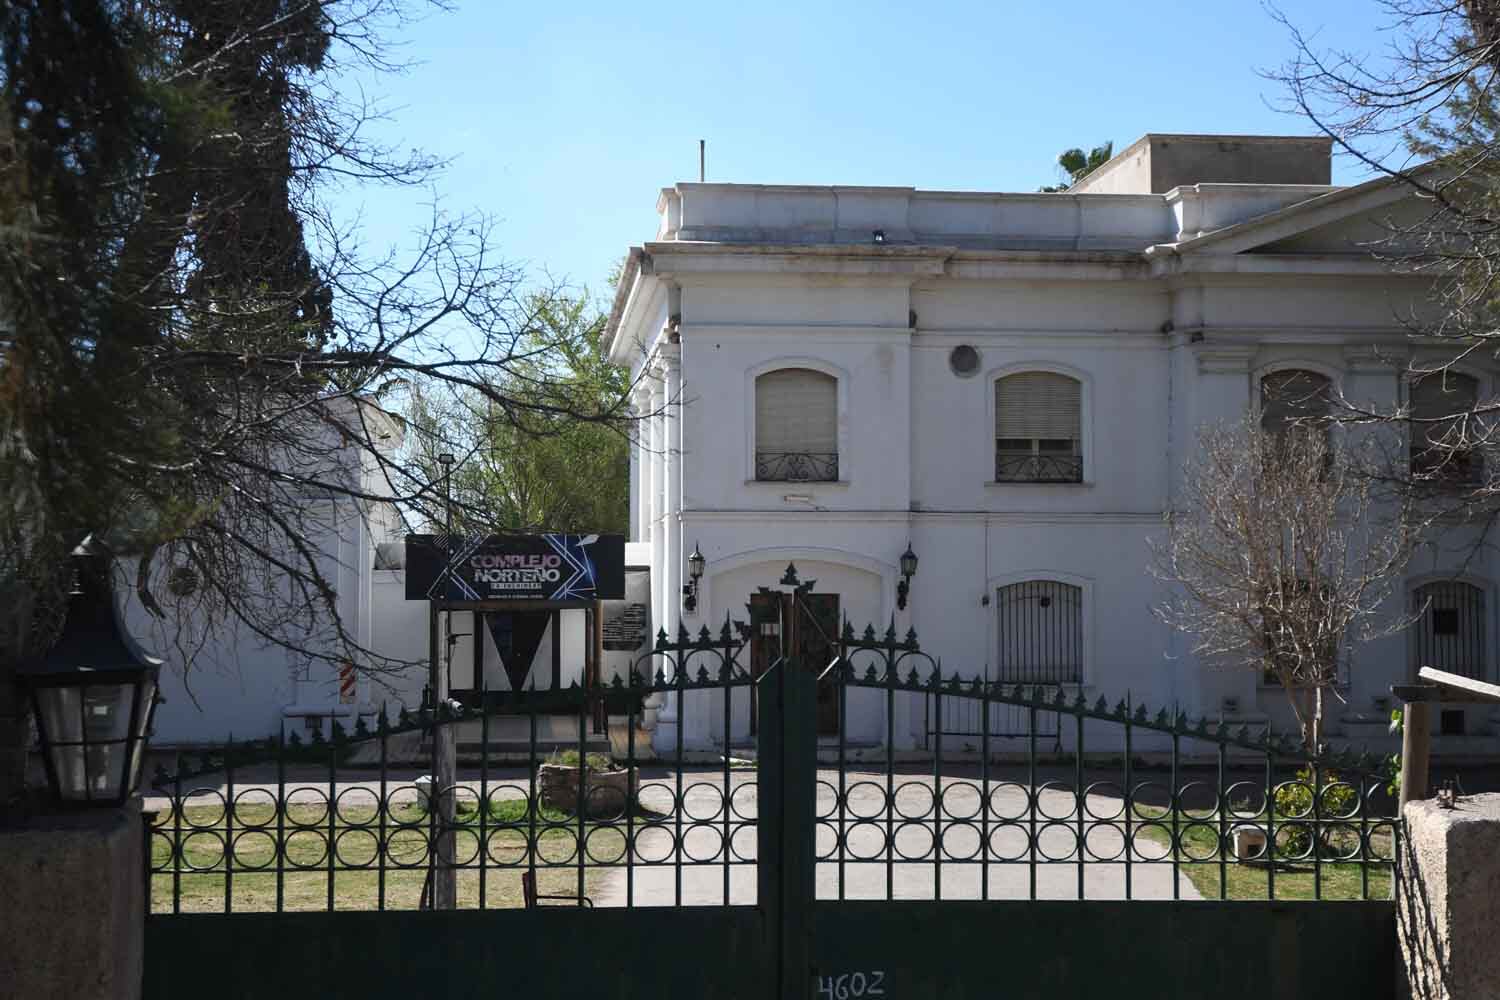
pixel 229 683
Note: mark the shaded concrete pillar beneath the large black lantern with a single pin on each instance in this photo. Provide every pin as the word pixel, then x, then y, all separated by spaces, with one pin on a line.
pixel 76 888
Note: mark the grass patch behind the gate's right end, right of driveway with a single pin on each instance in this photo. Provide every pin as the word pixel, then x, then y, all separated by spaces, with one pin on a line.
pixel 1247 881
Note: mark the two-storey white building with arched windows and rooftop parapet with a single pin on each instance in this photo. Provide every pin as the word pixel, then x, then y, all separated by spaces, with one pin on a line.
pixel 1009 383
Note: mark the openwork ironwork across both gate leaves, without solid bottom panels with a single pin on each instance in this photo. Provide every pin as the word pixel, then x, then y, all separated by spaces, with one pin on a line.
pixel 1117 803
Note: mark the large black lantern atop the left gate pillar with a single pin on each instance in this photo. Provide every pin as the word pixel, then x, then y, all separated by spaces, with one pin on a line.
pixel 92 693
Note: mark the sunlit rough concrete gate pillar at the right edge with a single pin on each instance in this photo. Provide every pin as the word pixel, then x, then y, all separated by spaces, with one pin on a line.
pixel 1448 900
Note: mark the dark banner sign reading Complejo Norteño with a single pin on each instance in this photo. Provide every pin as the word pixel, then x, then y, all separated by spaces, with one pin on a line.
pixel 515 567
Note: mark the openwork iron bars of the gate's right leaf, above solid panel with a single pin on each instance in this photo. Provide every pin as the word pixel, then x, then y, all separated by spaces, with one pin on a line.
pixel 1162 807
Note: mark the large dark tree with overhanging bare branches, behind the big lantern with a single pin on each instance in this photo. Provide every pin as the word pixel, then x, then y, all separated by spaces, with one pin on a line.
pixel 197 361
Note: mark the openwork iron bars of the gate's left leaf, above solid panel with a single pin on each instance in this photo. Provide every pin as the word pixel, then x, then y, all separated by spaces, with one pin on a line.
pixel 347 824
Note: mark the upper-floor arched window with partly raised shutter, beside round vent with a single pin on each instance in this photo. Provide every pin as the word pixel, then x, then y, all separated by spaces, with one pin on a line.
pixel 1039 424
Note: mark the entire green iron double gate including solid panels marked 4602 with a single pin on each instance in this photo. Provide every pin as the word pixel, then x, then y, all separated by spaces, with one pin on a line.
pixel 1097 861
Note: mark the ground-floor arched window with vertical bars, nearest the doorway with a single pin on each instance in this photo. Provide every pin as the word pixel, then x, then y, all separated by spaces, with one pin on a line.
pixel 1042 633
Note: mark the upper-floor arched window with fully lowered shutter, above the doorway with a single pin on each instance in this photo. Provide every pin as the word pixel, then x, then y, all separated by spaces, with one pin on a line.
pixel 797 427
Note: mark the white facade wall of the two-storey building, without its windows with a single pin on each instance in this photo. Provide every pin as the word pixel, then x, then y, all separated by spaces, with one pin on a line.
pixel 1159 358
